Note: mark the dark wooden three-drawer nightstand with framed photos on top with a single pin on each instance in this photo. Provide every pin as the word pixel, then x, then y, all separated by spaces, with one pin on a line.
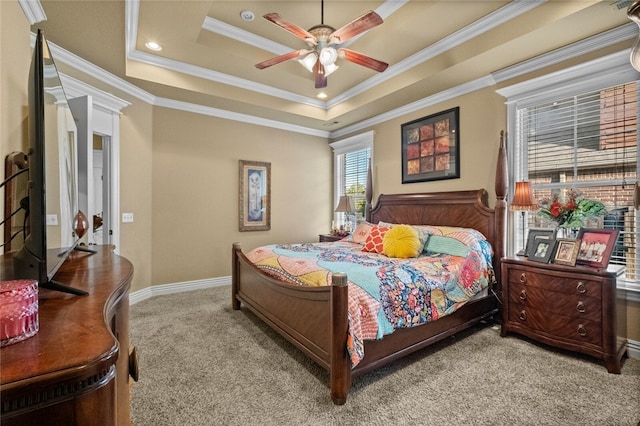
pixel 569 307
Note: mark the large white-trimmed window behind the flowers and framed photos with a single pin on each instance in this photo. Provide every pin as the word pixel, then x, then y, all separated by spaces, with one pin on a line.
pixel 580 133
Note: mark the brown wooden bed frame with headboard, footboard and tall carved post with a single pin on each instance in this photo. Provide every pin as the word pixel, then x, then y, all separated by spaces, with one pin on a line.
pixel 314 319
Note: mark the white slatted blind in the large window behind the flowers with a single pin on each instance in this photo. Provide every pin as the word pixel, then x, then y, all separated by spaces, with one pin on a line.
pixel 588 142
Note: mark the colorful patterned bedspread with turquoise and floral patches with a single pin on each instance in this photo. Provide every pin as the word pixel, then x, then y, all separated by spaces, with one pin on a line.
pixel 384 293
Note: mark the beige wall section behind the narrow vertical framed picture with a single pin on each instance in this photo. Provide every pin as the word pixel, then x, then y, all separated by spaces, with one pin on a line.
pixel 195 191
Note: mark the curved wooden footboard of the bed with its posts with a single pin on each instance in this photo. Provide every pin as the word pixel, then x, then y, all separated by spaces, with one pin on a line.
pixel 302 315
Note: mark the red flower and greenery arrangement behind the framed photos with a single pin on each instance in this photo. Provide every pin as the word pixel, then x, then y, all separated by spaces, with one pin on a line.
pixel 571 213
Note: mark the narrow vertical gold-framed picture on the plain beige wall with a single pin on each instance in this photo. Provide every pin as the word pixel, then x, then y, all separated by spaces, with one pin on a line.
pixel 254 196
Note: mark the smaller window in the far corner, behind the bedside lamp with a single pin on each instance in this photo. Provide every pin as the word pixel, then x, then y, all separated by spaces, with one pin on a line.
pixel 352 157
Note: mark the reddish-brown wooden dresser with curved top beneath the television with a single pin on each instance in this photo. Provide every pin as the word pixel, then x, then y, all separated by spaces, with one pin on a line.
pixel 75 370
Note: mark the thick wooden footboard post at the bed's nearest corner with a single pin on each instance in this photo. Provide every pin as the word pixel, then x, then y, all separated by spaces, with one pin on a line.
pixel 340 373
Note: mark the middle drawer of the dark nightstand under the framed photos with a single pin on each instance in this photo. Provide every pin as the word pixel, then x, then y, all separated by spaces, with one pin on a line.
pixel 554 302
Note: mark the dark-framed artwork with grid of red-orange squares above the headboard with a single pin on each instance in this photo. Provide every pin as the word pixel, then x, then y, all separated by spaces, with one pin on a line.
pixel 431 147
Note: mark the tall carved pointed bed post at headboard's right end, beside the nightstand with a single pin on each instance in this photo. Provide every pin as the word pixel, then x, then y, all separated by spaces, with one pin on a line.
pixel 502 187
